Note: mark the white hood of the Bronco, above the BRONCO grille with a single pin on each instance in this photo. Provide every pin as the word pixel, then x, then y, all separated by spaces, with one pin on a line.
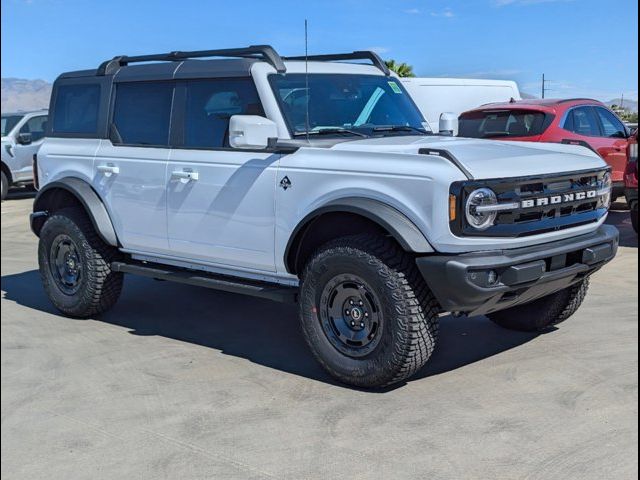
pixel 485 159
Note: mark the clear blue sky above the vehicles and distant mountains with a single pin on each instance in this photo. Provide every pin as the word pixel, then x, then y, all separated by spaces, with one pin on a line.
pixel 586 47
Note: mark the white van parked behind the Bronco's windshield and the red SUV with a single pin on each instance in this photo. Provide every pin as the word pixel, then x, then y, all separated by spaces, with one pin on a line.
pixel 434 96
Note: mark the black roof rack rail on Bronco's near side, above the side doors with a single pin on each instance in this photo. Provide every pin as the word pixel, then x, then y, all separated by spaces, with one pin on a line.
pixel 264 52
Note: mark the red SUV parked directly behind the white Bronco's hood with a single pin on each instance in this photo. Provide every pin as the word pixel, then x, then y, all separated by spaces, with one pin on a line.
pixel 583 122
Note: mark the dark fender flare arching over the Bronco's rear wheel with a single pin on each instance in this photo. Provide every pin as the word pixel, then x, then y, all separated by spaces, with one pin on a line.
pixel 89 199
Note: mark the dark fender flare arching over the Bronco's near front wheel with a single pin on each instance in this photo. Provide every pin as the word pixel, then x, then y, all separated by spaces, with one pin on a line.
pixel 401 228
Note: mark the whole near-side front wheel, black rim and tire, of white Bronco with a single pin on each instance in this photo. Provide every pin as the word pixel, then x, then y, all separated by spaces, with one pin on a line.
pixel 366 313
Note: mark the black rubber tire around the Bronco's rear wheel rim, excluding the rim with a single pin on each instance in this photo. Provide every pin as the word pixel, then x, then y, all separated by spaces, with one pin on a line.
pixel 98 286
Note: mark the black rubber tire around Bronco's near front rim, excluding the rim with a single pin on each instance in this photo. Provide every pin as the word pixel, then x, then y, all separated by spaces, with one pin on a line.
pixel 407 308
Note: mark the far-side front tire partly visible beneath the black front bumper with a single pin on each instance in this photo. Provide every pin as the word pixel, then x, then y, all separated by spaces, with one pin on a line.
pixel 544 313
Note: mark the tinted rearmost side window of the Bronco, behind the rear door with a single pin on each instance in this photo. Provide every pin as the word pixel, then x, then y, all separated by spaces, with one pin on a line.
pixel 76 109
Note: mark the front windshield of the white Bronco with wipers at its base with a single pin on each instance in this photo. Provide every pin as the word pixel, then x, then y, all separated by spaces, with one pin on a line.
pixel 359 105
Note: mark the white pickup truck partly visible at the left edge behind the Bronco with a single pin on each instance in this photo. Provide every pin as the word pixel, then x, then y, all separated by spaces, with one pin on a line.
pixel 22 135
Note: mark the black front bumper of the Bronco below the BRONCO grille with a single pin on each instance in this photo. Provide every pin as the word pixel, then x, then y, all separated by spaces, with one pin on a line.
pixel 486 282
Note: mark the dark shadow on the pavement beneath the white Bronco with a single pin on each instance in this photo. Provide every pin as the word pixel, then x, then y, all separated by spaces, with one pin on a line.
pixel 264 332
